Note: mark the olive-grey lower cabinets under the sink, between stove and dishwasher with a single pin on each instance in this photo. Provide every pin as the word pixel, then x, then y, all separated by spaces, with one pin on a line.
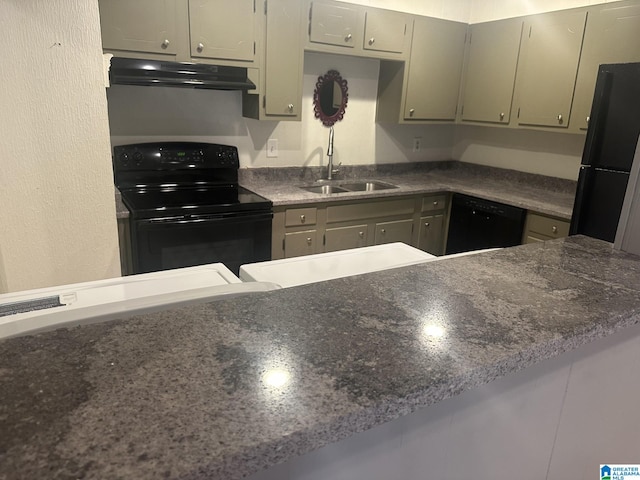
pixel 417 220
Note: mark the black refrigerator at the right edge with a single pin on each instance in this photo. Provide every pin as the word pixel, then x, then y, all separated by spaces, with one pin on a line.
pixel 609 150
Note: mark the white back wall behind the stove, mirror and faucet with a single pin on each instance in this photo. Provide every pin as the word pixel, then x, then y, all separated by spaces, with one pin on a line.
pixel 148 113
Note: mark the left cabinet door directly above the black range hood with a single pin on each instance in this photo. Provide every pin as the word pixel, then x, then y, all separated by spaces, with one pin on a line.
pixel 140 26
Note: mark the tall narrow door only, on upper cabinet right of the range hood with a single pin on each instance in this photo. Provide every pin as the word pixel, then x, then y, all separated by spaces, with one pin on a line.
pixel 284 57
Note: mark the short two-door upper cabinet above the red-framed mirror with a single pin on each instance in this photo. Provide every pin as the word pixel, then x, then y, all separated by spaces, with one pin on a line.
pixel 337 27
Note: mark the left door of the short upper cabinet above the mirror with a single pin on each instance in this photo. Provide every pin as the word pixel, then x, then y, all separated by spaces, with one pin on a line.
pixel 333 24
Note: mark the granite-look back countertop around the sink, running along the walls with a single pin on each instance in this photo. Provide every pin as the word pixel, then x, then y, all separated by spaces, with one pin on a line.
pixel 547 195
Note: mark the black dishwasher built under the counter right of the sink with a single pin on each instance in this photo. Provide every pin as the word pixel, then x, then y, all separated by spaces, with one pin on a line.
pixel 475 224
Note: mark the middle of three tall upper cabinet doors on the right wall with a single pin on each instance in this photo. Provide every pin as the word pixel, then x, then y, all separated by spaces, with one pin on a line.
pixel 548 67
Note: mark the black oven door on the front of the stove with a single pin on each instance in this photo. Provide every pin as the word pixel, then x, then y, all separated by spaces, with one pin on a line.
pixel 236 239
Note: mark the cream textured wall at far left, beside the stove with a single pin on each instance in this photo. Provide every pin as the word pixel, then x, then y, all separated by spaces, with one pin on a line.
pixel 56 198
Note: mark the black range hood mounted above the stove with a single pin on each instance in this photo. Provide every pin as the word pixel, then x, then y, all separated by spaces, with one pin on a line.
pixel 134 71
